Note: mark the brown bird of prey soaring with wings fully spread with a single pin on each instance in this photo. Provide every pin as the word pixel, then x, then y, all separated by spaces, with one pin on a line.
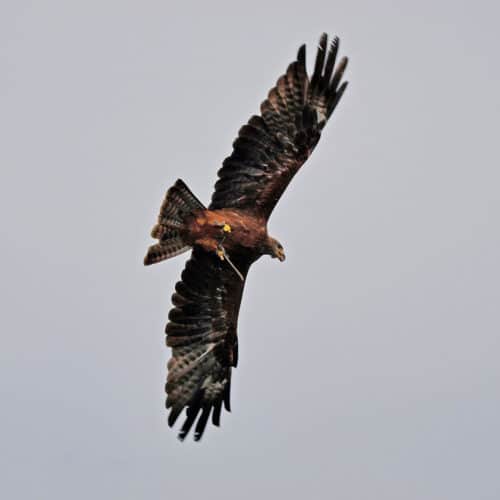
pixel 231 234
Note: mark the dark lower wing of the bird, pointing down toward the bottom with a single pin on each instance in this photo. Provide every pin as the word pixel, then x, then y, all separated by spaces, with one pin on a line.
pixel 202 334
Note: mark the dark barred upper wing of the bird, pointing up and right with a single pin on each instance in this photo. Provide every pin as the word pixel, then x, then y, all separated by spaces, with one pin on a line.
pixel 272 147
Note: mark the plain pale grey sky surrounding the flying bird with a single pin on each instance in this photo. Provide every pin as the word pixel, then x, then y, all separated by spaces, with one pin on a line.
pixel 369 360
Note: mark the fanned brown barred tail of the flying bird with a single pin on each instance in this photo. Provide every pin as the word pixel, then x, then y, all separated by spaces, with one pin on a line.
pixel 178 204
